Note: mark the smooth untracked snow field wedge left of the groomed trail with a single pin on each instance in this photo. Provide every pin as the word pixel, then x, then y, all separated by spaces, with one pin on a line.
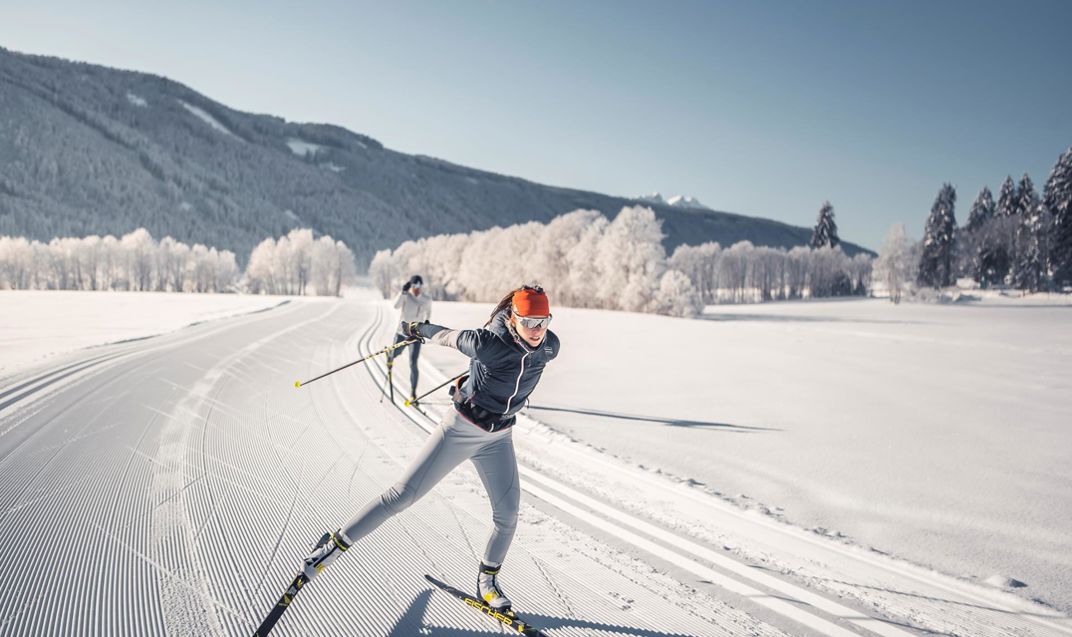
pixel 36 325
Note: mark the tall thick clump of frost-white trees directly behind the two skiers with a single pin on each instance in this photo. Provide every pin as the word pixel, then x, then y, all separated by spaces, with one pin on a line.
pixel 582 258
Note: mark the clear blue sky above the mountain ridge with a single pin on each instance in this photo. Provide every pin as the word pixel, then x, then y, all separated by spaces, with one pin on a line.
pixel 761 108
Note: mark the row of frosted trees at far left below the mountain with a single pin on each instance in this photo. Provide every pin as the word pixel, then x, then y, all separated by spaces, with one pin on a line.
pixel 294 264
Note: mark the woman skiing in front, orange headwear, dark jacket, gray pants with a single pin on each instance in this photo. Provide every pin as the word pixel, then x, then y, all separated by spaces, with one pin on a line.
pixel 509 357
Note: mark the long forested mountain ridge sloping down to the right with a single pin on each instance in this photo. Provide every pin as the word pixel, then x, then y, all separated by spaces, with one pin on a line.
pixel 90 150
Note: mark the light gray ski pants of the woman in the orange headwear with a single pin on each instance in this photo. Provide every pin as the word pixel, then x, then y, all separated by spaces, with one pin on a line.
pixel 454 441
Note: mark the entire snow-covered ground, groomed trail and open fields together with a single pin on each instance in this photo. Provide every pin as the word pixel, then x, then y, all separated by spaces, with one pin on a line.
pixel 740 475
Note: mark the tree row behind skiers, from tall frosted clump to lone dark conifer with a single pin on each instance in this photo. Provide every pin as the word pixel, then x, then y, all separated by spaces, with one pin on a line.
pixel 592 262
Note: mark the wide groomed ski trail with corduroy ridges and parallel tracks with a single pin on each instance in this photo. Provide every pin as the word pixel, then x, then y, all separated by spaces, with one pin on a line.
pixel 172 486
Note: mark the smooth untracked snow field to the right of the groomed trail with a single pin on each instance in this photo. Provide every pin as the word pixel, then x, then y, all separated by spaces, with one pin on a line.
pixel 937 434
